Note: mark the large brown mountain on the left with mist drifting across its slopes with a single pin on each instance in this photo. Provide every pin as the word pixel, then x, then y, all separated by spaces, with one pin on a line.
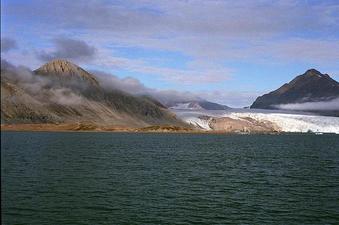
pixel 62 92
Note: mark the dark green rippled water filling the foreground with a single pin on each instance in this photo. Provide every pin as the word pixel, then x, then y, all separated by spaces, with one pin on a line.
pixel 112 178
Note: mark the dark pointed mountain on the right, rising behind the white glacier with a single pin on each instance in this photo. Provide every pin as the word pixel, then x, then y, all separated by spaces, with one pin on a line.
pixel 310 87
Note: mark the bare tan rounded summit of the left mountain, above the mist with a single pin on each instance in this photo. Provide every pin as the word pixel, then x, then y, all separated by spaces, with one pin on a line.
pixel 66 70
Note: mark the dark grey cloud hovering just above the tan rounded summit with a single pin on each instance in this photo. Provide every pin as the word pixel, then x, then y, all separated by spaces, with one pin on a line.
pixel 68 49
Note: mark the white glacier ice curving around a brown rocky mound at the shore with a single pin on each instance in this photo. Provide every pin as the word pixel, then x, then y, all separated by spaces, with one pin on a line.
pixel 288 121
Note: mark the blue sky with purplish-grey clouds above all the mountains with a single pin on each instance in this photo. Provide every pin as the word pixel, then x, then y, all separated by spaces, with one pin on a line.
pixel 229 52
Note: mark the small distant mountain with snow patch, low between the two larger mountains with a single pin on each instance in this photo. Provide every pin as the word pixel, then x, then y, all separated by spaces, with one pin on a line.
pixel 197 105
